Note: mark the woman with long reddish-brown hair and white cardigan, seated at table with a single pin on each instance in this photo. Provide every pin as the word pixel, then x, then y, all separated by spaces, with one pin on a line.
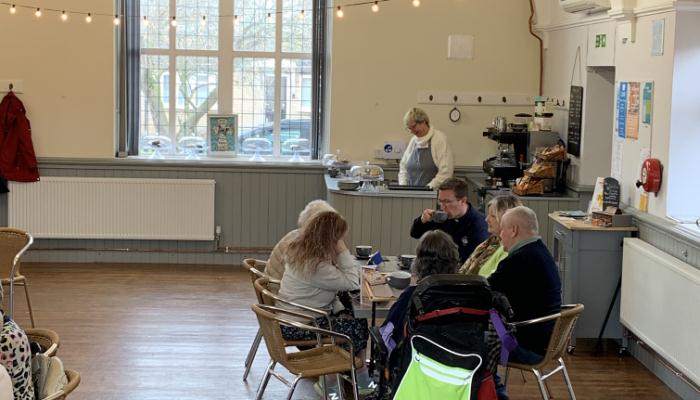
pixel 318 266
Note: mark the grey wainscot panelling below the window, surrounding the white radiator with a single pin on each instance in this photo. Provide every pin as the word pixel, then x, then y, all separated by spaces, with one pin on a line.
pixel 255 206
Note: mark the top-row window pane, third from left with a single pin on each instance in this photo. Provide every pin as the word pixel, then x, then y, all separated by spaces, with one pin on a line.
pixel 254 30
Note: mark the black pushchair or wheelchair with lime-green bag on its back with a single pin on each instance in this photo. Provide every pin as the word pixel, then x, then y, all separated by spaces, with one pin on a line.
pixel 450 348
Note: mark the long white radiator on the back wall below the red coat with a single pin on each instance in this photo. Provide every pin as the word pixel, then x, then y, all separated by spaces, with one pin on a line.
pixel 114 208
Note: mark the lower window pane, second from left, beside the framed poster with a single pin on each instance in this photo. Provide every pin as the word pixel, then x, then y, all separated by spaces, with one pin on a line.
pixel 197 80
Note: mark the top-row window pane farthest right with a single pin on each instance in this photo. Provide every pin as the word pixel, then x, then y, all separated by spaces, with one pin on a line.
pixel 296 27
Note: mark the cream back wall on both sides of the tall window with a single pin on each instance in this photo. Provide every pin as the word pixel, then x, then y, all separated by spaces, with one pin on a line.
pixel 379 63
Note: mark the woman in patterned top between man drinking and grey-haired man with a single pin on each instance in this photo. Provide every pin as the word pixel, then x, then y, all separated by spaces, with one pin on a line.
pixel 490 252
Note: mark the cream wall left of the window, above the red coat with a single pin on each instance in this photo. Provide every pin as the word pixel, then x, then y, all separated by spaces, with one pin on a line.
pixel 67 72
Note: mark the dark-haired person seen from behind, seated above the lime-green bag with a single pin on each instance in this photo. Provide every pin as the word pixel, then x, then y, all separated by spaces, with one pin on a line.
pixel 436 253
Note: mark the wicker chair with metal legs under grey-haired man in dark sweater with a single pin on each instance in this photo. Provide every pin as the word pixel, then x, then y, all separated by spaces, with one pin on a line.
pixel 564 325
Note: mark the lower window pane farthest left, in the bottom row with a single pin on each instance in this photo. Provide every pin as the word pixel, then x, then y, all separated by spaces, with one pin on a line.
pixel 154 95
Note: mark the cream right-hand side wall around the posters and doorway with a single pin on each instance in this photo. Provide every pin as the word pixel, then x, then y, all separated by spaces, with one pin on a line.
pixel 632 62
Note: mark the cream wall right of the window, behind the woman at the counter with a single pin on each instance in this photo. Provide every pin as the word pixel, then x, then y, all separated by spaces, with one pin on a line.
pixel 381 61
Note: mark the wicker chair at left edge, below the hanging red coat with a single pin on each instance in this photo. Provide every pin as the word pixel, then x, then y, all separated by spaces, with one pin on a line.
pixel 13 243
